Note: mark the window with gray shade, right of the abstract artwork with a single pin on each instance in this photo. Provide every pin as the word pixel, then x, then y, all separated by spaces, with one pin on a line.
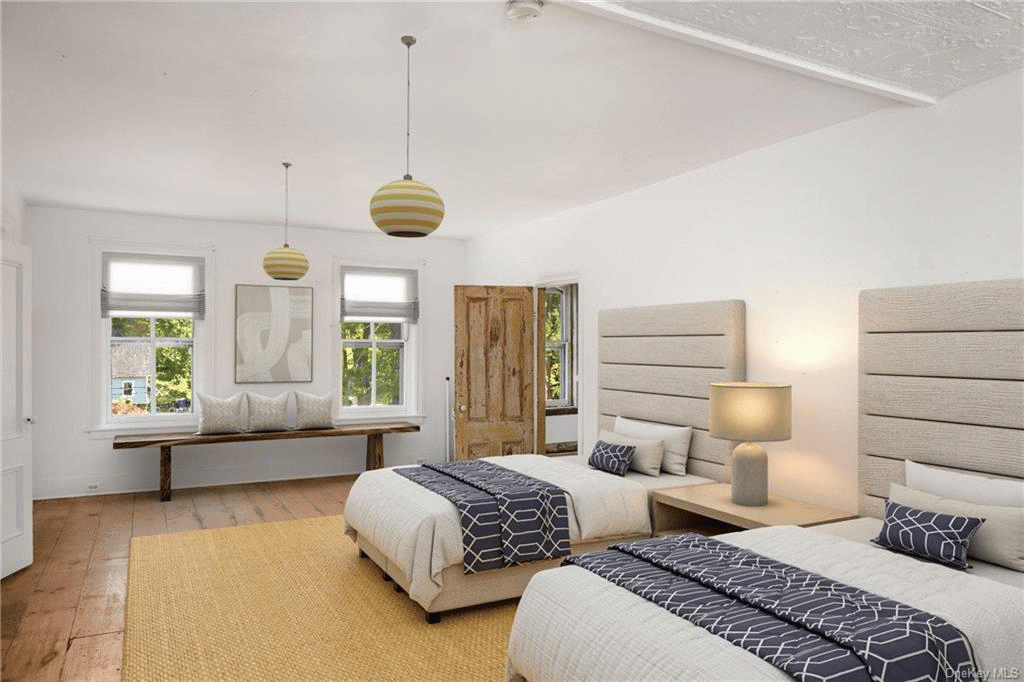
pixel 379 314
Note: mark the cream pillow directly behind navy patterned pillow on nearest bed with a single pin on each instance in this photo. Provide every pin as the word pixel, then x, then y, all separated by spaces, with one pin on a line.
pixel 1000 540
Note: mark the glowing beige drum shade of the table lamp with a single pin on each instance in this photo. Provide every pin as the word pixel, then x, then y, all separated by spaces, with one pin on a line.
pixel 747 411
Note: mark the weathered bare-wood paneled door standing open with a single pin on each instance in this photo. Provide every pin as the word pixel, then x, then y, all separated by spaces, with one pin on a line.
pixel 495 400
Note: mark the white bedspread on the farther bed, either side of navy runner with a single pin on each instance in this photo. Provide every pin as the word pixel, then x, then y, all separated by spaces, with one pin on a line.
pixel 419 531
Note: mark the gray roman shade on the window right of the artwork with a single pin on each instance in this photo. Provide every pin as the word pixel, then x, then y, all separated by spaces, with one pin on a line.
pixel 378 293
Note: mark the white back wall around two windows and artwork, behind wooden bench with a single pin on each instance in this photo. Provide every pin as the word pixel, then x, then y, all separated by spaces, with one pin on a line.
pixel 69 456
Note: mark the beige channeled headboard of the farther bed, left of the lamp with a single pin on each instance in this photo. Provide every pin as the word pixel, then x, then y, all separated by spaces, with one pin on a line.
pixel 656 363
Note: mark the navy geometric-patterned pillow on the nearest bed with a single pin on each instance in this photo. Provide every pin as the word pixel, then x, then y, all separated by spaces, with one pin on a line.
pixel 942 538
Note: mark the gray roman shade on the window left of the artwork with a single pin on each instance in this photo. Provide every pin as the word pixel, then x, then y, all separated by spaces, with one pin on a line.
pixel 151 285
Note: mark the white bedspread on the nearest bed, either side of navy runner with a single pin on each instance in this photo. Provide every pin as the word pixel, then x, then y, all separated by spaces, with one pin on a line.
pixel 573 625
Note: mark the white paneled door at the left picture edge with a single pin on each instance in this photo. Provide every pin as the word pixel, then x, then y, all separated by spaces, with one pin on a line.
pixel 16 406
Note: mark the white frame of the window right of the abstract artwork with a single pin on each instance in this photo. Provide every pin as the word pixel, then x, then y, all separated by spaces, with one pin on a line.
pixel 411 381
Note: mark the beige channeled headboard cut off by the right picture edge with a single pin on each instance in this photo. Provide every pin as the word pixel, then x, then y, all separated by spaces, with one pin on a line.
pixel 942 382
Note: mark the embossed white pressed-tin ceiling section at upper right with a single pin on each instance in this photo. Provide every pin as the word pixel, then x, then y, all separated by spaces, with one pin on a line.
pixel 927 49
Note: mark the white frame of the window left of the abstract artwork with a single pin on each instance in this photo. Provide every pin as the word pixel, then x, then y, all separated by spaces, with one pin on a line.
pixel 203 339
